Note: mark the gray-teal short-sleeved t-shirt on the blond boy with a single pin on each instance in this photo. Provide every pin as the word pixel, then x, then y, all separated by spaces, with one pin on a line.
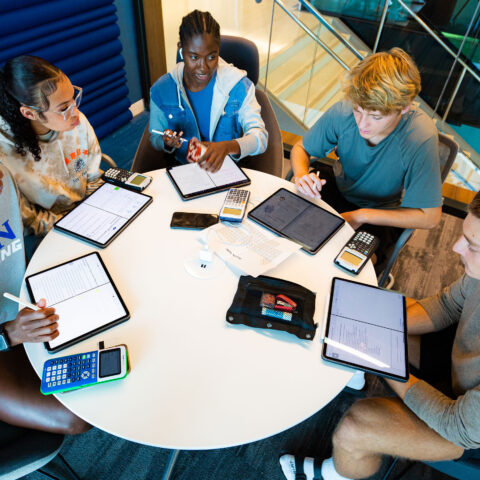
pixel 404 163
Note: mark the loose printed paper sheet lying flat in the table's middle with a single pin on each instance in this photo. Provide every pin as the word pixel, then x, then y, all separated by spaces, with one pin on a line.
pixel 247 247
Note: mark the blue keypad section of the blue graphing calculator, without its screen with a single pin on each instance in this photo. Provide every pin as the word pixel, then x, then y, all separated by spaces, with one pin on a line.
pixel 69 372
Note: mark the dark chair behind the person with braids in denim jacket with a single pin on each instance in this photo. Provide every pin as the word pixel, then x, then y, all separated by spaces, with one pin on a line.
pixel 243 54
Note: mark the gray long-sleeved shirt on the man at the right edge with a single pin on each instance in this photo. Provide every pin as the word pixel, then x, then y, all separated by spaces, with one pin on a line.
pixel 457 420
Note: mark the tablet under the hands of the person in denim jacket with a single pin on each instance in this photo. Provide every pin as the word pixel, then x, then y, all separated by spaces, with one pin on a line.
pixel 192 181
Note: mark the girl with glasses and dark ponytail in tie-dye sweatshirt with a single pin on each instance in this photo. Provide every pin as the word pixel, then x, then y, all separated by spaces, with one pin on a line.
pixel 45 141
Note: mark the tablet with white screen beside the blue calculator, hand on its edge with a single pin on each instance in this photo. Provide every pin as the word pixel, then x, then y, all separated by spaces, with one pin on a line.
pixel 84 297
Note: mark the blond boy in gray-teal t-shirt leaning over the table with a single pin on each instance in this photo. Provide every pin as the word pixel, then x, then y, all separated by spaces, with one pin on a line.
pixel 387 176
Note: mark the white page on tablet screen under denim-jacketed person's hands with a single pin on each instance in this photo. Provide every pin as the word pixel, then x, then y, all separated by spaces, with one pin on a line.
pixel 191 178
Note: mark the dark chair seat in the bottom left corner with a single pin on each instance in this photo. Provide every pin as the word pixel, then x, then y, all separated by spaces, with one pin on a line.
pixel 23 451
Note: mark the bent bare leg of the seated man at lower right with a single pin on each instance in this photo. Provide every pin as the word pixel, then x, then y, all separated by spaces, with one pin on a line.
pixel 376 426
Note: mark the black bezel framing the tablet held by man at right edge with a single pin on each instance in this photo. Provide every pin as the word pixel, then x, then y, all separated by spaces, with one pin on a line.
pixel 357 366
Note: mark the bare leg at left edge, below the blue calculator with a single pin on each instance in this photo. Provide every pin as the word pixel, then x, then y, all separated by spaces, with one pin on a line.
pixel 22 404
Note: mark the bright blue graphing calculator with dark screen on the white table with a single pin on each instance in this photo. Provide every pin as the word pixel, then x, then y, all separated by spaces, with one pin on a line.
pixel 84 369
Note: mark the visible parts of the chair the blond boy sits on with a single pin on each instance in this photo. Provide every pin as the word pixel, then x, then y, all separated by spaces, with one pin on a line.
pixel 448 149
